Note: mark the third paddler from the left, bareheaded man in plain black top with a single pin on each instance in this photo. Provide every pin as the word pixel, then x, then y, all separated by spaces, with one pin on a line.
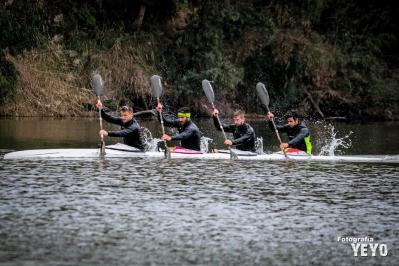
pixel 243 133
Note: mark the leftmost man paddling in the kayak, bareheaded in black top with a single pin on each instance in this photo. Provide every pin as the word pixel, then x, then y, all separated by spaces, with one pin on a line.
pixel 130 129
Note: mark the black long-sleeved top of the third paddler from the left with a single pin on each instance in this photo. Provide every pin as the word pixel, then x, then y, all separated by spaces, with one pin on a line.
pixel 244 135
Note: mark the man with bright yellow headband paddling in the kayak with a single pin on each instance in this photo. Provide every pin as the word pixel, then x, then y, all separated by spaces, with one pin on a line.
pixel 189 134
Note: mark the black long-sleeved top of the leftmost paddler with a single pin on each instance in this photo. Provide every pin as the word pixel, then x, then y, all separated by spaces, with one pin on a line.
pixel 130 131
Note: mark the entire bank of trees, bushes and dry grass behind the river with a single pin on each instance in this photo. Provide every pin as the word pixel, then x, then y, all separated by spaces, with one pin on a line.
pixel 321 57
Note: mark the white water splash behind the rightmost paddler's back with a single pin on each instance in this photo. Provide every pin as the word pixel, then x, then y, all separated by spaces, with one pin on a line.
pixel 332 143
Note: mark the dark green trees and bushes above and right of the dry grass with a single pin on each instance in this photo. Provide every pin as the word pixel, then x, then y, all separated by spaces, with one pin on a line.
pixel 344 53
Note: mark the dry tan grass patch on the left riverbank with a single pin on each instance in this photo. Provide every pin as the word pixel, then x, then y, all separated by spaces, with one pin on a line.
pixel 55 81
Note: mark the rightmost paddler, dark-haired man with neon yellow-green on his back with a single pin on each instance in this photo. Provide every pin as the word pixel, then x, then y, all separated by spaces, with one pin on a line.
pixel 297 131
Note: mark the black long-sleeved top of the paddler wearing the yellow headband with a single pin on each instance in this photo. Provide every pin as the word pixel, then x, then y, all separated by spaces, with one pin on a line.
pixel 189 134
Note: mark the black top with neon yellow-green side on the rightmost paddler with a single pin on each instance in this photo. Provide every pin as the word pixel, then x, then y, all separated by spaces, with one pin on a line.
pixel 299 136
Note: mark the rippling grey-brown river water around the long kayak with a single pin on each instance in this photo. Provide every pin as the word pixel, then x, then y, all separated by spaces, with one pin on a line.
pixel 192 212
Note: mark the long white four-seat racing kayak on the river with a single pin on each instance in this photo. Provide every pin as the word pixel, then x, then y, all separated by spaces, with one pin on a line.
pixel 124 151
